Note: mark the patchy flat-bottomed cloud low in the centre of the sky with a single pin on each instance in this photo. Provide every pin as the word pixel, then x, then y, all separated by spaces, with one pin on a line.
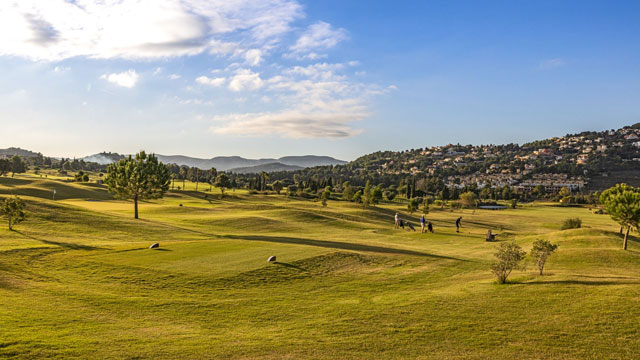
pixel 317 101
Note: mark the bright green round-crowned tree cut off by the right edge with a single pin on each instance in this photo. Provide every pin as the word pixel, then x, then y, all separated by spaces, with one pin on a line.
pixel 623 204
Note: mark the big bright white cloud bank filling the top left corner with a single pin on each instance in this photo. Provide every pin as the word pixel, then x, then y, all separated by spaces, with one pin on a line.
pixel 133 29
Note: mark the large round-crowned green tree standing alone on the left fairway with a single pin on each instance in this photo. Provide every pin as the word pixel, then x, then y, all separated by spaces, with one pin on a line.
pixel 139 178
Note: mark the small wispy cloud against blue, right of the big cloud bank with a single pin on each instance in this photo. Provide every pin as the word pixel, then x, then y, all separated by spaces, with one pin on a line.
pixel 319 36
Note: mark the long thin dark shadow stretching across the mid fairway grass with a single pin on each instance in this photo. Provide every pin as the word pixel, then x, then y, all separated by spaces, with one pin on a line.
pixel 336 245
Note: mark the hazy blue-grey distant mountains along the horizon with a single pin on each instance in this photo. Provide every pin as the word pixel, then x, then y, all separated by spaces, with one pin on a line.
pixel 235 164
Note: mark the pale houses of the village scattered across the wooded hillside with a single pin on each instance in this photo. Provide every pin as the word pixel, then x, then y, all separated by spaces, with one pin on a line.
pixel 567 161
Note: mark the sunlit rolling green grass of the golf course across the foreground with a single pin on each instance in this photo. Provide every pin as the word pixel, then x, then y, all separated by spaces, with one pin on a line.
pixel 77 280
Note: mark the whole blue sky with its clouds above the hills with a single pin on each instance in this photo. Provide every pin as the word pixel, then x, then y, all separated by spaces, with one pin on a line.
pixel 271 78
